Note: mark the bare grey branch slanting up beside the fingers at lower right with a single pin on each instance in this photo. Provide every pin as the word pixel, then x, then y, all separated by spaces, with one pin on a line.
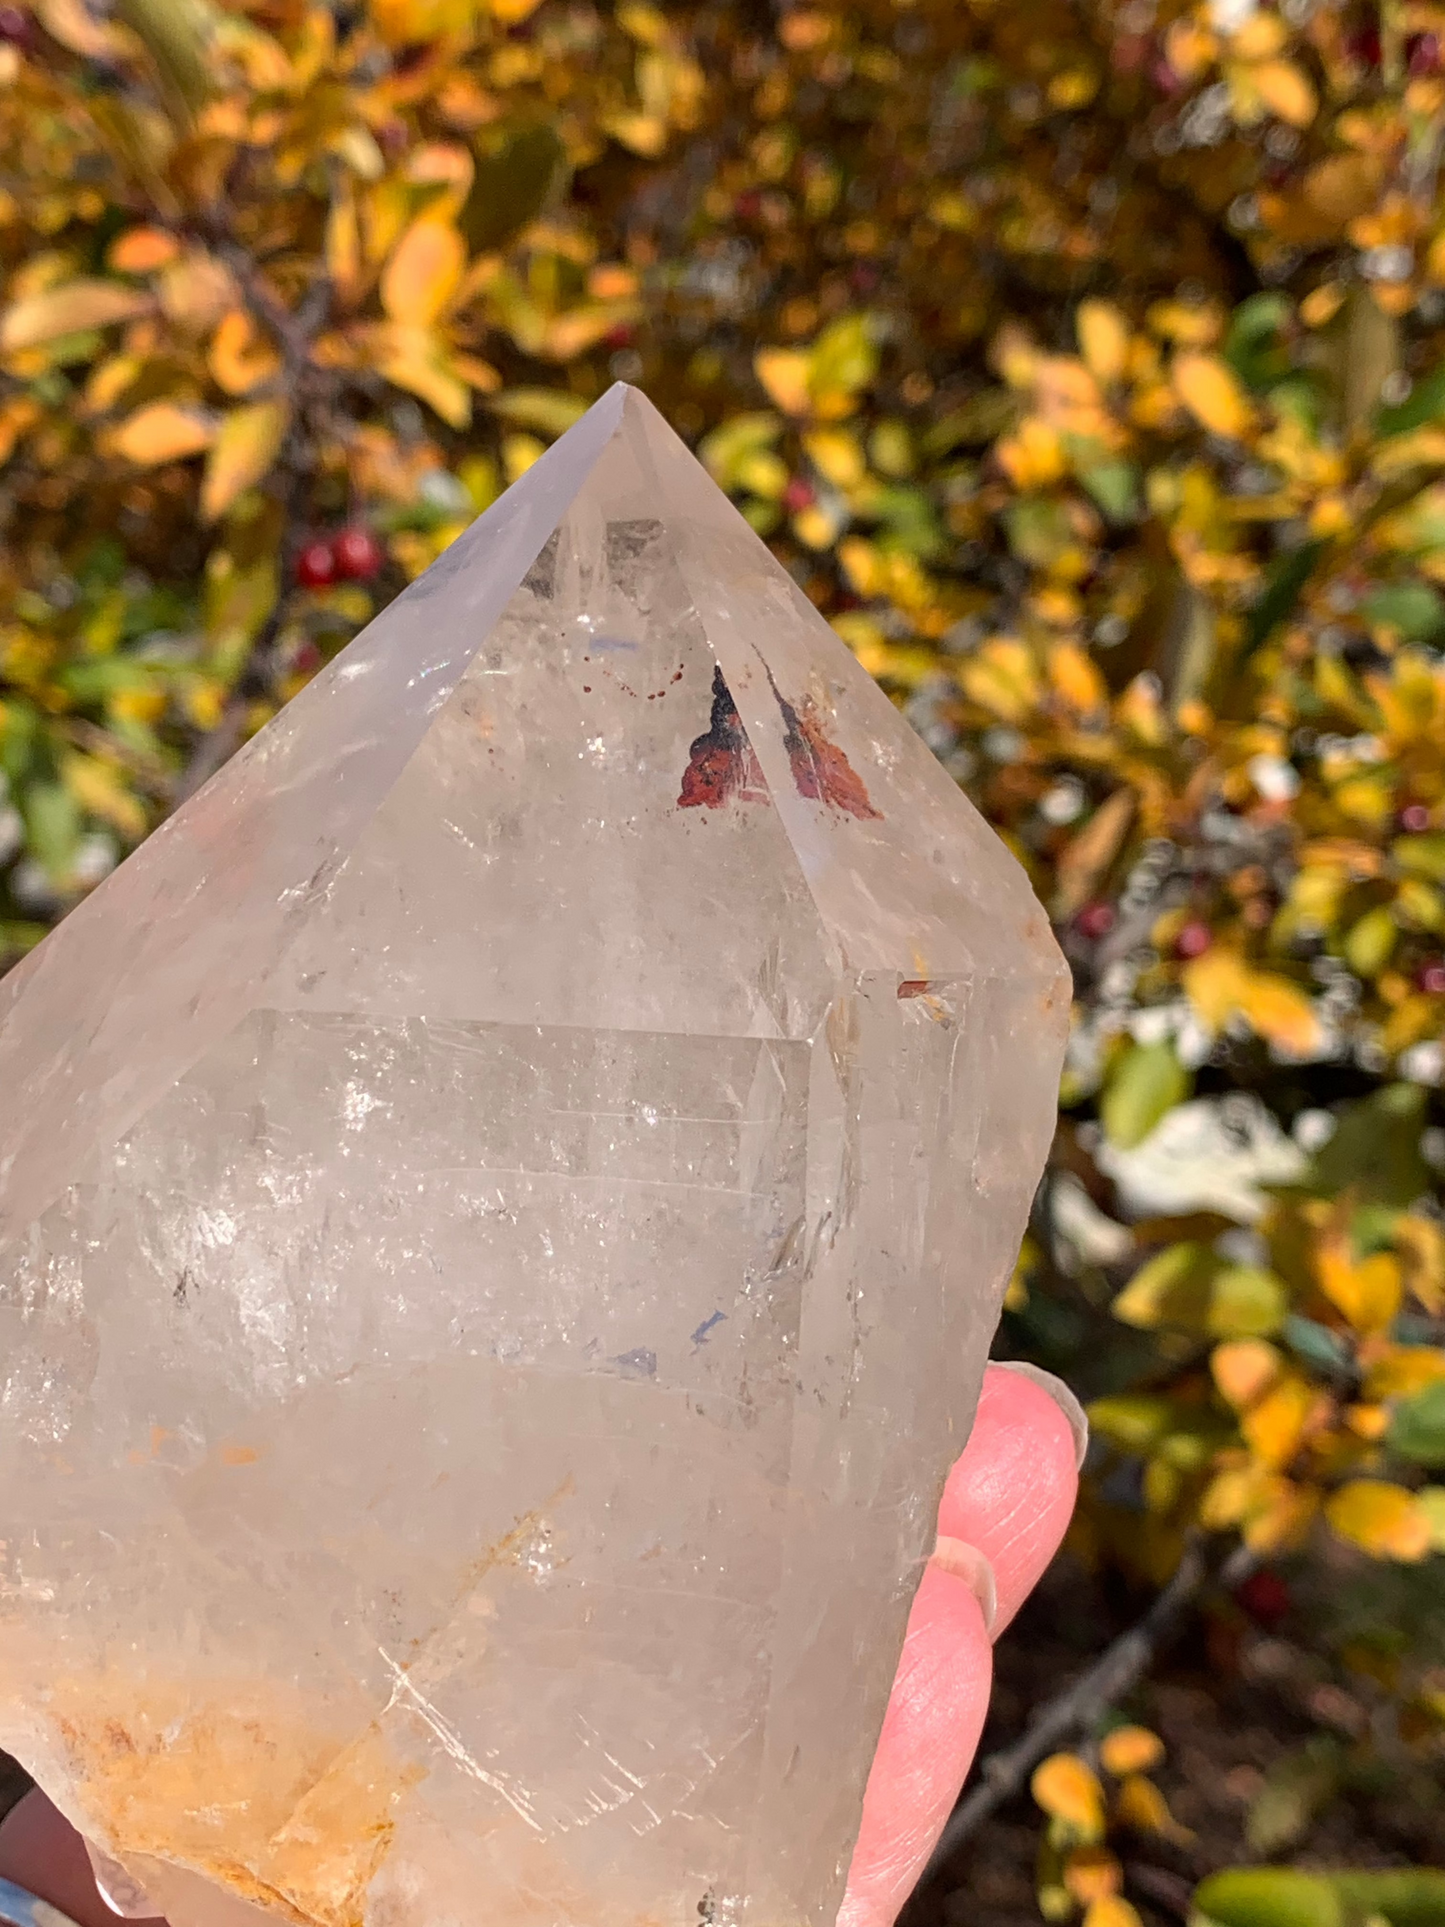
pixel 1113 1676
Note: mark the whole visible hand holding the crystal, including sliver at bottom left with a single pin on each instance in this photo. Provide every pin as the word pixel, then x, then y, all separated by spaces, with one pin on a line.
pixel 1009 1496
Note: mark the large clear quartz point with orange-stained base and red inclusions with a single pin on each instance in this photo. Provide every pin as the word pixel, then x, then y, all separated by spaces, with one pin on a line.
pixel 504 1203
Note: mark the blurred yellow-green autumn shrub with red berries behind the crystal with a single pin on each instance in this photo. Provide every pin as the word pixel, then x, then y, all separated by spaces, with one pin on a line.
pixel 1086 363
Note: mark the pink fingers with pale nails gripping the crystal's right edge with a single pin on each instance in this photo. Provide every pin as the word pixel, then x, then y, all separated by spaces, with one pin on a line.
pixel 1005 1510
